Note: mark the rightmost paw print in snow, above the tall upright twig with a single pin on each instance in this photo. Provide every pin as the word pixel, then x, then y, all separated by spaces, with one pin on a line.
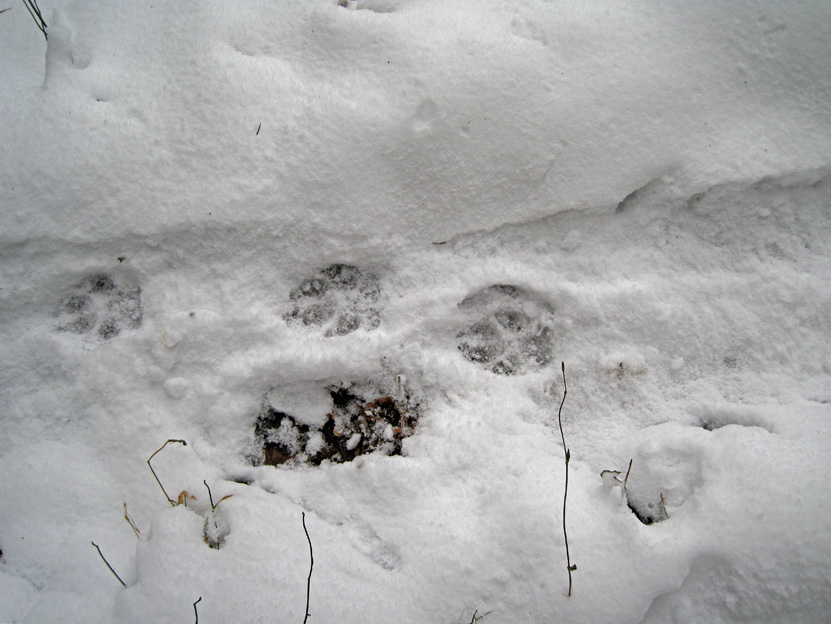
pixel 509 332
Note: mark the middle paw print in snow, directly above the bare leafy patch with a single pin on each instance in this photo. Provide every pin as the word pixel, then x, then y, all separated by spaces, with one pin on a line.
pixel 338 300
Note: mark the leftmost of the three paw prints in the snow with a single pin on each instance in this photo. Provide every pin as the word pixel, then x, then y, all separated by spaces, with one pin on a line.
pixel 100 307
